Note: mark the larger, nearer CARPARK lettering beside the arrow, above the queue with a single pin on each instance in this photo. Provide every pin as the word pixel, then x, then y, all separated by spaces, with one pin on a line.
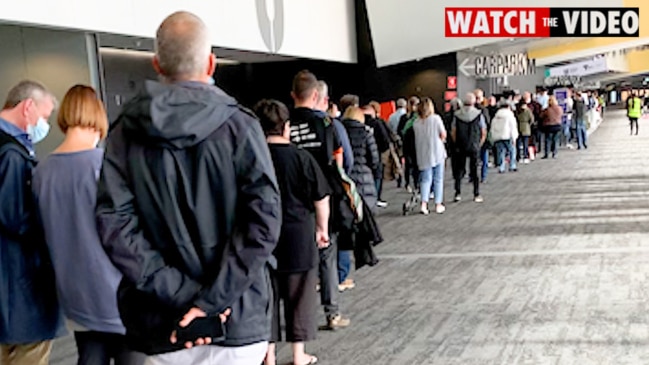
pixel 504 65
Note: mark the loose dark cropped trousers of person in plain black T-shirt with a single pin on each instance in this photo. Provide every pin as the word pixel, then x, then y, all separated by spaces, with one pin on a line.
pixel 297 291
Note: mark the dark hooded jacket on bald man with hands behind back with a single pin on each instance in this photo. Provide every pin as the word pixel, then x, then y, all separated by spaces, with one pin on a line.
pixel 189 211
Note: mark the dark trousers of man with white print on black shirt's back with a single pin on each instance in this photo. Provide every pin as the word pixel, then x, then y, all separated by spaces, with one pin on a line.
pixel 329 277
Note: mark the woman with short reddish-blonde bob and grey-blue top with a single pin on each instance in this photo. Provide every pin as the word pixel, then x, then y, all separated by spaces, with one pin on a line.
pixel 65 186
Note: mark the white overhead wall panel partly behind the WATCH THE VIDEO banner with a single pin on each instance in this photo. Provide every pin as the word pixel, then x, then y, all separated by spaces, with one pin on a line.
pixel 405 30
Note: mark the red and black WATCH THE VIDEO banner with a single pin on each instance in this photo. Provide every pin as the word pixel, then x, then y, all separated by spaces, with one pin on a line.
pixel 542 22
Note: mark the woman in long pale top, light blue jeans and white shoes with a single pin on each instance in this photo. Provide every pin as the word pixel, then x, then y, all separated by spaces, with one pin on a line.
pixel 430 136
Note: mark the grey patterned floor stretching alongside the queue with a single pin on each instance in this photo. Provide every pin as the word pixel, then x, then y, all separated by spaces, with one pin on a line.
pixel 552 269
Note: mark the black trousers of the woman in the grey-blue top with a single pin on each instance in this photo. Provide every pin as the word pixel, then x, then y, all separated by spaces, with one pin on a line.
pixel 99 348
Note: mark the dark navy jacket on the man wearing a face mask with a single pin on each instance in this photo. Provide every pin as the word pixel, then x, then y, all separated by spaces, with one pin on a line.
pixel 29 310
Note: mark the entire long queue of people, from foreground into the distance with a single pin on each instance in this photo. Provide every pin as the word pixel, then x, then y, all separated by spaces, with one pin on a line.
pixel 179 242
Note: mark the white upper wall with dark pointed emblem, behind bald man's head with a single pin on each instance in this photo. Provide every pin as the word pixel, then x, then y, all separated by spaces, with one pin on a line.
pixel 320 29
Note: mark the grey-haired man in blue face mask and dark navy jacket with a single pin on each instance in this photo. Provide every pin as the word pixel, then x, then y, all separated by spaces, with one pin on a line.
pixel 29 313
